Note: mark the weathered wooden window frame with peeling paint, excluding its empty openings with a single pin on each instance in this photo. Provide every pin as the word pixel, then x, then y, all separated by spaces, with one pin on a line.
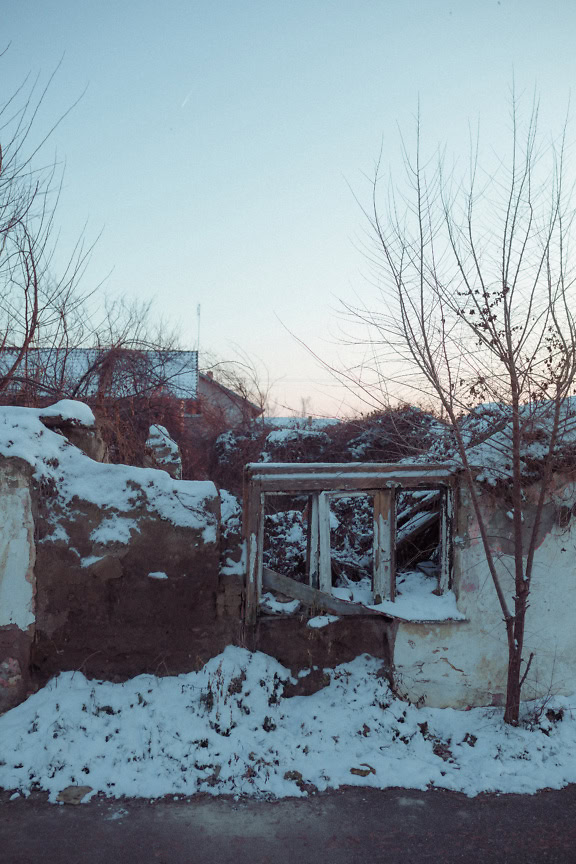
pixel 323 482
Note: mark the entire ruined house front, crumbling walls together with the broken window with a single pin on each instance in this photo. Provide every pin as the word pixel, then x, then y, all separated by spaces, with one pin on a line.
pixel 116 570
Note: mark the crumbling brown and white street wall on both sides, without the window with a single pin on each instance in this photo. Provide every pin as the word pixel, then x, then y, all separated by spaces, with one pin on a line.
pixel 116 571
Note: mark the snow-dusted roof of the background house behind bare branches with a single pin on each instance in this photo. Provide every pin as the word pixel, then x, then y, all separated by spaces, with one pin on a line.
pixel 82 372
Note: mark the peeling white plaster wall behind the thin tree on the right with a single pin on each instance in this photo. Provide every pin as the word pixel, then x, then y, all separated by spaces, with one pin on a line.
pixel 457 664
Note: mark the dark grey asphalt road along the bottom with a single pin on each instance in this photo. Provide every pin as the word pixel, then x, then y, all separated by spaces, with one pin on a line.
pixel 350 825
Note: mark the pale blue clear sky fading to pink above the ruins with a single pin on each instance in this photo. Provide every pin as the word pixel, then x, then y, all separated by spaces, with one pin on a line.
pixel 220 151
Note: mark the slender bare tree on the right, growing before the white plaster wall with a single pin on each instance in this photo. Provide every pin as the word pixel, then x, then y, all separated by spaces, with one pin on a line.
pixel 477 304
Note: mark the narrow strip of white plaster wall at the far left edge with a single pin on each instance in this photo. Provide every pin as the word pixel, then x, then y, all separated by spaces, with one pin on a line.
pixel 17 582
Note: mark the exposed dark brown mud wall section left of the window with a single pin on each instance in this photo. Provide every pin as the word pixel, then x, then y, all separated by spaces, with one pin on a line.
pixel 139 598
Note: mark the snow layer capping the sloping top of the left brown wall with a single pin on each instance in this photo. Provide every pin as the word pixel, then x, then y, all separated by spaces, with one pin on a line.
pixel 119 488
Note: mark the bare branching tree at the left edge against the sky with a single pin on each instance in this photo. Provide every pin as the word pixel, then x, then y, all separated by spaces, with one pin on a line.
pixel 34 304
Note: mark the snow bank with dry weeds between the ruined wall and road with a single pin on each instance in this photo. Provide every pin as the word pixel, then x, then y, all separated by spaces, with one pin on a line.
pixel 228 729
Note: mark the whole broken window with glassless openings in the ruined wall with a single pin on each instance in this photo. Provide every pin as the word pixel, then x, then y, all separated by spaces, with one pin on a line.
pixel 395 541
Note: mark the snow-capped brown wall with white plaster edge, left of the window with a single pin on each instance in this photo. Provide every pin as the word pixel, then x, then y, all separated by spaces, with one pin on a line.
pixel 126 564
